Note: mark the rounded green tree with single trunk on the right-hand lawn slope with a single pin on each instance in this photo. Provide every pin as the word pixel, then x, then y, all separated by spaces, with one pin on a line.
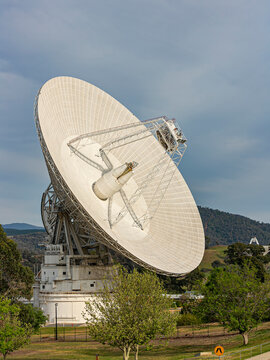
pixel 235 298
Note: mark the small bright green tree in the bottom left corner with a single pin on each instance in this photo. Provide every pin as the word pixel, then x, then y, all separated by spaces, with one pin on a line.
pixel 13 334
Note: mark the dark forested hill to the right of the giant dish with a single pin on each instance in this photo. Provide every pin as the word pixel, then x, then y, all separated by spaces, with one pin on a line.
pixel 225 228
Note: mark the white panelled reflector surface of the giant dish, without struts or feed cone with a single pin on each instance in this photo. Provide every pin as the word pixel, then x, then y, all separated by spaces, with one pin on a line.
pixel 172 242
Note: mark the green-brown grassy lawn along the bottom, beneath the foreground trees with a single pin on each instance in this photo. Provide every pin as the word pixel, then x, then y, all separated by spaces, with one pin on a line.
pixel 175 349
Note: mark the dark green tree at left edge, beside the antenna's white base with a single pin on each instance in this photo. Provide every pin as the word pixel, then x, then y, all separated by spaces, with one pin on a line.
pixel 16 280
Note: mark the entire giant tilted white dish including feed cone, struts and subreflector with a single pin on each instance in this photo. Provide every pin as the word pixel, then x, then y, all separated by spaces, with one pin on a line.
pixel 115 179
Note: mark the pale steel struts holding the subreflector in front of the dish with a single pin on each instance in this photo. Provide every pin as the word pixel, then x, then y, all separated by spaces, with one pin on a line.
pixel 143 130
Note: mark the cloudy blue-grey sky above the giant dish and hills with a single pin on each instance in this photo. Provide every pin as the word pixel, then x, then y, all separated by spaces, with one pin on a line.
pixel 205 62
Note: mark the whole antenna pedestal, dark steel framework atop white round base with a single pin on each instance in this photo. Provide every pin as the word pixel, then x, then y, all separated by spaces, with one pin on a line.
pixel 74 265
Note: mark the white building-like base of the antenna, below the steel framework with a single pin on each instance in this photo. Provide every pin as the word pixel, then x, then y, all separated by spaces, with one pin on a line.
pixel 69 282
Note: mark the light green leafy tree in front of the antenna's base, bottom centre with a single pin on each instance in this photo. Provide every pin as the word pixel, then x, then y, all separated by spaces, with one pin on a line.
pixel 131 310
